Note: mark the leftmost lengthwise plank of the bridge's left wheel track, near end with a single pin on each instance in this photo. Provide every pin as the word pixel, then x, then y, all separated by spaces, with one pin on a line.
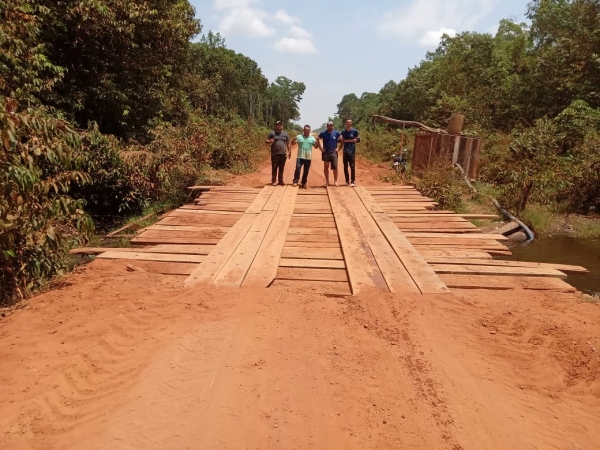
pixel 208 270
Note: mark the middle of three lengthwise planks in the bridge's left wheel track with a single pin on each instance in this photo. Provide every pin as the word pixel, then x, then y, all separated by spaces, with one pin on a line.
pixel 234 271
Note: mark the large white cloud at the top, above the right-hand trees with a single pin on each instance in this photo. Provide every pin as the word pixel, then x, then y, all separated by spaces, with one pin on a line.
pixel 426 20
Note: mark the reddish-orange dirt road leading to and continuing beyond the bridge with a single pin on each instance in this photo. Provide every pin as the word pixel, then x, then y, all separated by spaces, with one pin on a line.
pixel 112 359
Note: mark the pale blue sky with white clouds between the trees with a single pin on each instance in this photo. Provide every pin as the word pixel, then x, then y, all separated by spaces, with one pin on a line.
pixel 340 47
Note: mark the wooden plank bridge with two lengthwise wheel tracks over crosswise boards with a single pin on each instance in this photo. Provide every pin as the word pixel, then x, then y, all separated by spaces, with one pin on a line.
pixel 351 239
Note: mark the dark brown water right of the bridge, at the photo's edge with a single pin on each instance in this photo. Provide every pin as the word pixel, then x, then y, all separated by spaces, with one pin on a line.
pixel 578 252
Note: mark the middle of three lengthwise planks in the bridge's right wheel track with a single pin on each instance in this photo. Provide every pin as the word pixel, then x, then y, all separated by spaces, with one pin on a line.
pixel 392 269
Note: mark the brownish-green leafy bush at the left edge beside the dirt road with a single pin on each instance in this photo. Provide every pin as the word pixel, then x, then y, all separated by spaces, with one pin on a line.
pixel 39 222
